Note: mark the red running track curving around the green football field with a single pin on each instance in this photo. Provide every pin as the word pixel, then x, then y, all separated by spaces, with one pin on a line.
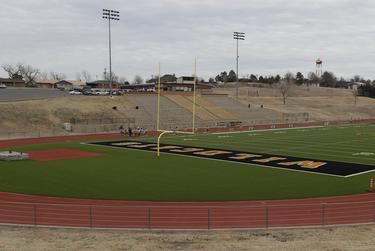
pixel 49 211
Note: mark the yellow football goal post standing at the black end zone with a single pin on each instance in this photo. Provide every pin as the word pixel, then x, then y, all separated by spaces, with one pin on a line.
pixel 164 132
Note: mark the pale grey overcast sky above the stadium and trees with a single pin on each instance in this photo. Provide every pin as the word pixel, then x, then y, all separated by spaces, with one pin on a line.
pixel 70 35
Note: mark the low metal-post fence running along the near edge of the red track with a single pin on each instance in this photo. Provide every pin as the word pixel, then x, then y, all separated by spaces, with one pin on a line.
pixel 188 217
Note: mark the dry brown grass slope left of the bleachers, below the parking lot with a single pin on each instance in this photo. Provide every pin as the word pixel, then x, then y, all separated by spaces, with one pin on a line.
pixel 52 113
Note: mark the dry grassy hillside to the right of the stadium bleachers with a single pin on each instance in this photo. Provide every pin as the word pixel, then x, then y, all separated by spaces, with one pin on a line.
pixel 321 103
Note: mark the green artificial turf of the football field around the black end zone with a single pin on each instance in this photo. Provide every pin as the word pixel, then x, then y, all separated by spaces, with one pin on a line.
pixel 135 175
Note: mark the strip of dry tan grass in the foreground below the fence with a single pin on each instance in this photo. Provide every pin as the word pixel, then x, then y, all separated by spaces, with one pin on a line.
pixel 332 239
